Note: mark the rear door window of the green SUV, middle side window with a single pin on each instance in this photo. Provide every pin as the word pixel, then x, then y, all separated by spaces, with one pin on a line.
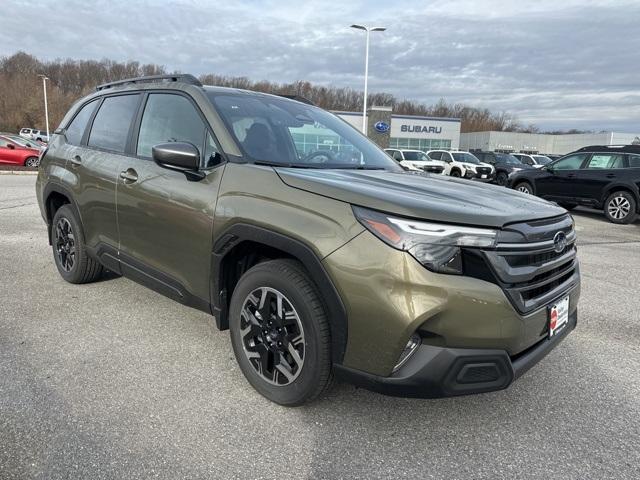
pixel 111 124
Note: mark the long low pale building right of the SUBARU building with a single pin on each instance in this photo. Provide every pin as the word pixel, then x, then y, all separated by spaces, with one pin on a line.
pixel 541 143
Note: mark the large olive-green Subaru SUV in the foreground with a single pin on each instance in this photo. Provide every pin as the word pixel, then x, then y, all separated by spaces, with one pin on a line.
pixel 315 249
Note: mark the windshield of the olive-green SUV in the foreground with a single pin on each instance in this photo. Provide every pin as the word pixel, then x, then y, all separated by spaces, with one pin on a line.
pixel 277 131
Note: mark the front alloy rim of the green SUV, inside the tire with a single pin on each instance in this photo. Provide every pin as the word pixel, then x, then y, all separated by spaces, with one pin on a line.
pixel 272 336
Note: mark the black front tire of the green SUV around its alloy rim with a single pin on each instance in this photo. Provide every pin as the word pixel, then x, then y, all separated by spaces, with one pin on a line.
pixel 288 278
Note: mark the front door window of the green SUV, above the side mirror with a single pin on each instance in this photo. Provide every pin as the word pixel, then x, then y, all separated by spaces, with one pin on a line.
pixel 169 118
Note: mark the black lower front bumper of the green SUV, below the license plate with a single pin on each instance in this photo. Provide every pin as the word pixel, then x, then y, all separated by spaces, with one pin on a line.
pixel 434 372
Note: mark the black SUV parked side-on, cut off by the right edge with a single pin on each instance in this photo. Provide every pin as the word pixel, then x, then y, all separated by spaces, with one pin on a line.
pixel 603 177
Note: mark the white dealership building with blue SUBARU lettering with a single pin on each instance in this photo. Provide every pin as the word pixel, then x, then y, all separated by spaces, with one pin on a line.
pixel 409 131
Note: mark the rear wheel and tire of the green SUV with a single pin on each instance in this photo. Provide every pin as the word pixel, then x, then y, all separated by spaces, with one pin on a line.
pixel 69 250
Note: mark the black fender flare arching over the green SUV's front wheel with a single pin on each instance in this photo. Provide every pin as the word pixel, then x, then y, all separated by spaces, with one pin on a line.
pixel 239 232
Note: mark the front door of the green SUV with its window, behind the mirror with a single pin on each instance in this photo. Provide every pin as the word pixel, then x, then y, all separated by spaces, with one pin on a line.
pixel 166 219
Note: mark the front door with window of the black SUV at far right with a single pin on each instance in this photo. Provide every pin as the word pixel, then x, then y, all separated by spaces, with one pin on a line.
pixel 561 180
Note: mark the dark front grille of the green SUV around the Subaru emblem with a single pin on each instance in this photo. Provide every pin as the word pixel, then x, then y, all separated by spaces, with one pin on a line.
pixel 531 273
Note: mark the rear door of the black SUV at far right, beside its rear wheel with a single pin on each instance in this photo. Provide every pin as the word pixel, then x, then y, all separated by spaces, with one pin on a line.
pixel 601 170
